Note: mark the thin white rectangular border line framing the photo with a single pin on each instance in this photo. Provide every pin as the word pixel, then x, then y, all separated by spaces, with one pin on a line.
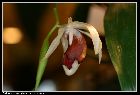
pixel 22 92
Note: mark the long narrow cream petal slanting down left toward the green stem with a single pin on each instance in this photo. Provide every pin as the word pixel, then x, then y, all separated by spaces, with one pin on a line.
pixel 55 43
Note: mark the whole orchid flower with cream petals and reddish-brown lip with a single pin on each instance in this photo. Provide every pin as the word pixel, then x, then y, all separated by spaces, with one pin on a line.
pixel 74 44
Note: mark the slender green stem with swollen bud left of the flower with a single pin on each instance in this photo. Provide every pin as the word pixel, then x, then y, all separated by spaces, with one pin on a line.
pixel 45 46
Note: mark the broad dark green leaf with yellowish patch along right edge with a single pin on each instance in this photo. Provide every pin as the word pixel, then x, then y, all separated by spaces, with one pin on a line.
pixel 120 35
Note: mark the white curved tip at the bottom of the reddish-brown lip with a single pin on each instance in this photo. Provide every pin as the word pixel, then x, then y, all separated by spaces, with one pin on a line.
pixel 74 68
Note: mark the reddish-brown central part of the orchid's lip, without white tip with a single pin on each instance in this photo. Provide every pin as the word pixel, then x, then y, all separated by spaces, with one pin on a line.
pixel 77 51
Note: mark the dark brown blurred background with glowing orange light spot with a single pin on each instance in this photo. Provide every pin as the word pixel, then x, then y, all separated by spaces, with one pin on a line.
pixel 25 25
